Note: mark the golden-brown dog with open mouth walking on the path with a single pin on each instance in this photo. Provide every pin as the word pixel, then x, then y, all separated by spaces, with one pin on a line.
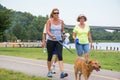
pixel 85 68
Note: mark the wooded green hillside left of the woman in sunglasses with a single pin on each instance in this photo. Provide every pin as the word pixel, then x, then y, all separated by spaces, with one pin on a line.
pixel 21 26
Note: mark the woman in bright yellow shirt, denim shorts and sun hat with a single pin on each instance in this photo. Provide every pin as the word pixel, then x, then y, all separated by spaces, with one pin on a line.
pixel 82 37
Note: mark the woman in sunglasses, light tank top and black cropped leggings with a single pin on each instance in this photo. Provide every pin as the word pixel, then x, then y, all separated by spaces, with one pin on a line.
pixel 55 28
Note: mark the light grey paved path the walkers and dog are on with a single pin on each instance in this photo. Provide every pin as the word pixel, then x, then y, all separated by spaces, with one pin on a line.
pixel 39 68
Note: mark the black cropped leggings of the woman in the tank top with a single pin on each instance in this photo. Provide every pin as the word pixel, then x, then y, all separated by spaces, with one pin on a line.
pixel 50 48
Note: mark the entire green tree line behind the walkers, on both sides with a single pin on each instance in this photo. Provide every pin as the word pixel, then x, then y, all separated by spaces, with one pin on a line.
pixel 16 25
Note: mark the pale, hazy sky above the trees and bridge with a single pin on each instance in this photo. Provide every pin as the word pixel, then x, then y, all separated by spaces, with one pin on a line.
pixel 98 12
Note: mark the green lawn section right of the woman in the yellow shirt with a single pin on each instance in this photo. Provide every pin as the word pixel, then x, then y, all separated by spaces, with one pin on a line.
pixel 108 60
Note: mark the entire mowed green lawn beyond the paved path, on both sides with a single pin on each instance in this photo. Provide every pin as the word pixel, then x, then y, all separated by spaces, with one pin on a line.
pixel 109 60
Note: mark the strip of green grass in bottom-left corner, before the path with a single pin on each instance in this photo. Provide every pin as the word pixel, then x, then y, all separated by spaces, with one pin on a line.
pixel 12 75
